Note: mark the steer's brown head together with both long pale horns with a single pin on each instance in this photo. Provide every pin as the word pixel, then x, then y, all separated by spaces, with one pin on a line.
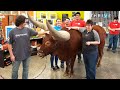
pixel 49 43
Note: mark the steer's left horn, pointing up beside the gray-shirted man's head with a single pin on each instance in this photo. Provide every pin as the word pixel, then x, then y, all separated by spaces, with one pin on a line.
pixel 36 23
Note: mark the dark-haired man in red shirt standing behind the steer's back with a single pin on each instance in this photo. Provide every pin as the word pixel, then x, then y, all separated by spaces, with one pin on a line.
pixel 77 22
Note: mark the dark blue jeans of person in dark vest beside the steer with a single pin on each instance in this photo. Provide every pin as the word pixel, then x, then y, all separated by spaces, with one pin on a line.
pixel 90 61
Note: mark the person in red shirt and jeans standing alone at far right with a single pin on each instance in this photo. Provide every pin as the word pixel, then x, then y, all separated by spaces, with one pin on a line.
pixel 114 28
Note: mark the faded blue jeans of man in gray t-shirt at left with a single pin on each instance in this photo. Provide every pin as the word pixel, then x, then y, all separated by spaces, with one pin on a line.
pixel 15 68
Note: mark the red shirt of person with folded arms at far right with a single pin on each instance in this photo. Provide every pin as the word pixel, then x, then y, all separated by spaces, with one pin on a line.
pixel 113 25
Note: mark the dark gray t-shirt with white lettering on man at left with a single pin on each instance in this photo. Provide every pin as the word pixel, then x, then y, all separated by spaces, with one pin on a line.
pixel 20 40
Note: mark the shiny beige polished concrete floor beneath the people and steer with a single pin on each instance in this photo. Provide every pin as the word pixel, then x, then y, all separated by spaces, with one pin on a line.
pixel 40 68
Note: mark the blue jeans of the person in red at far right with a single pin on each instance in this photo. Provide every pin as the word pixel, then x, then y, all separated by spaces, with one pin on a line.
pixel 113 39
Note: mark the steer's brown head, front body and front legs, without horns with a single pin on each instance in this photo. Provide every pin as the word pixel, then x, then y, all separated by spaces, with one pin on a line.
pixel 65 50
